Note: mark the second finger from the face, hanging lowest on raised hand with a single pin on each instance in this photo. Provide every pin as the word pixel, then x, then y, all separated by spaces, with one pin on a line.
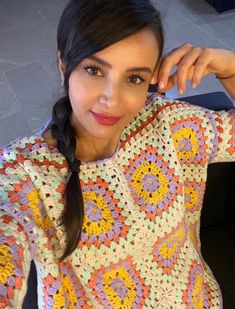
pixel 185 68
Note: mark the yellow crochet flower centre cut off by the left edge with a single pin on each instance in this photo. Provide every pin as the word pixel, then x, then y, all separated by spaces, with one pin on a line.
pixel 6 265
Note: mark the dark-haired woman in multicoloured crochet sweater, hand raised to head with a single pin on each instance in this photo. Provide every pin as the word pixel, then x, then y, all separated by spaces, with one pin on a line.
pixel 101 200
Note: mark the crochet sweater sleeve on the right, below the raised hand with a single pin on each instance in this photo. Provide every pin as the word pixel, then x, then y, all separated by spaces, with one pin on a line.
pixel 201 136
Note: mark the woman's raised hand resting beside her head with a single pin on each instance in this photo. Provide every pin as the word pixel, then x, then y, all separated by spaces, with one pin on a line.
pixel 193 63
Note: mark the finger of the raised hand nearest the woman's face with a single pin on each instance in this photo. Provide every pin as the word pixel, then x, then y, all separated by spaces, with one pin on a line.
pixel 167 63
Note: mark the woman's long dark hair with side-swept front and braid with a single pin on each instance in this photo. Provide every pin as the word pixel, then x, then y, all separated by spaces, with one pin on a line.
pixel 85 28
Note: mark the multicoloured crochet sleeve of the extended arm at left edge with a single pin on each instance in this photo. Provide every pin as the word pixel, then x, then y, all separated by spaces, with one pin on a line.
pixel 18 235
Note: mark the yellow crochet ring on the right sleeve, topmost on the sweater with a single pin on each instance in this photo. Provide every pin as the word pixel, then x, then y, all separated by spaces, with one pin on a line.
pixel 186 134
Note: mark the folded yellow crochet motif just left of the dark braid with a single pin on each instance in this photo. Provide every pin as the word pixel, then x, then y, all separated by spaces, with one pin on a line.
pixel 34 200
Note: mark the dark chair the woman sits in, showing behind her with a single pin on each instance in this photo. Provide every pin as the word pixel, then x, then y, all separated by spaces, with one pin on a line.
pixel 217 218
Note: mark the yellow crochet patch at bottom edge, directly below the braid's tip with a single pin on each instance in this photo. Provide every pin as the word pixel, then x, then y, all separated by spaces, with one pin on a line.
pixel 59 298
